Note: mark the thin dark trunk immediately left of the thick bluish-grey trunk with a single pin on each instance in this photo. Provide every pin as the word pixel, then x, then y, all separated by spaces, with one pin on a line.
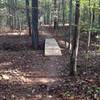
pixel 28 16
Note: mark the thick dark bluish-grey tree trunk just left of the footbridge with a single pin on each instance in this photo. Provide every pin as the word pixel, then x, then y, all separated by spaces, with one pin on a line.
pixel 35 24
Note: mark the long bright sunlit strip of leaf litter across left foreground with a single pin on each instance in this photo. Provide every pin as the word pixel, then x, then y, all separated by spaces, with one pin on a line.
pixel 24 78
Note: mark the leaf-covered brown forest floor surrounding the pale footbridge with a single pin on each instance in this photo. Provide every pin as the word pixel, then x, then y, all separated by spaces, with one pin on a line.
pixel 26 74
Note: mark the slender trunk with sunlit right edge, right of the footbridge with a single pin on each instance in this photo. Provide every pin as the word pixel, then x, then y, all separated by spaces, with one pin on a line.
pixel 75 42
